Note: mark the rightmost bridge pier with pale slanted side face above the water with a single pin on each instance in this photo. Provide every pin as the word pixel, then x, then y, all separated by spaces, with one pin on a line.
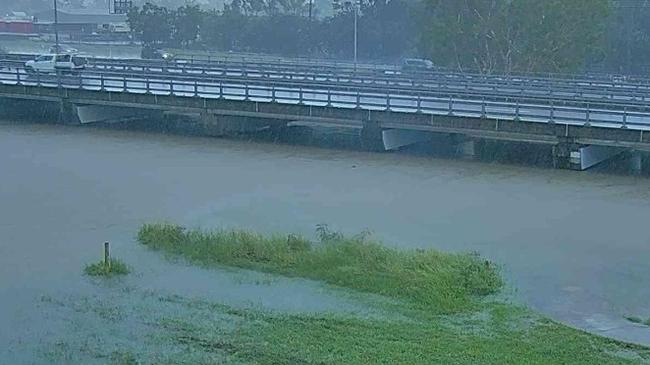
pixel 572 156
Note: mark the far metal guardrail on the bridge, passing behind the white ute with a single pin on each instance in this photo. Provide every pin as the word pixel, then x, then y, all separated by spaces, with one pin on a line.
pixel 636 95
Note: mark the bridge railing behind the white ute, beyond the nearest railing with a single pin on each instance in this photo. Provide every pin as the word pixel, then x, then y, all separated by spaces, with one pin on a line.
pixel 585 89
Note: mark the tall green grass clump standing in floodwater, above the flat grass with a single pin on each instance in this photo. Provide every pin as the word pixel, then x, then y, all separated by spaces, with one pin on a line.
pixel 441 282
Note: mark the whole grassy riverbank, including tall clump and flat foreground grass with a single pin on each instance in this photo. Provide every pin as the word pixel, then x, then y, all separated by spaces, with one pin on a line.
pixel 435 308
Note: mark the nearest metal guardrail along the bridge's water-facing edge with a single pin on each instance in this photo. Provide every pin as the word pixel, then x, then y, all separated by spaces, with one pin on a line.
pixel 362 97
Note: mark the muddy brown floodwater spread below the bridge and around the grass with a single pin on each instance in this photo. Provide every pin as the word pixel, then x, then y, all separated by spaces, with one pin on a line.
pixel 572 245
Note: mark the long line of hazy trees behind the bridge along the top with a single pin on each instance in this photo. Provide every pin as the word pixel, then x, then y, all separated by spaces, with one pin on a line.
pixel 489 36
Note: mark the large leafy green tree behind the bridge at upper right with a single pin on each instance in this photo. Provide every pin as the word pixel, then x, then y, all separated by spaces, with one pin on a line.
pixel 513 35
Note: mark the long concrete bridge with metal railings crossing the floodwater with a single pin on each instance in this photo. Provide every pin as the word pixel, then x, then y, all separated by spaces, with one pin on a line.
pixel 586 120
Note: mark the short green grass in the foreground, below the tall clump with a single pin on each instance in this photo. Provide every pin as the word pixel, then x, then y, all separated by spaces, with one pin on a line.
pixel 501 334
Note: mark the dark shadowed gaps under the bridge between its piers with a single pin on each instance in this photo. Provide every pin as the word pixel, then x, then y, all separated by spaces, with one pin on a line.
pixel 439 146
